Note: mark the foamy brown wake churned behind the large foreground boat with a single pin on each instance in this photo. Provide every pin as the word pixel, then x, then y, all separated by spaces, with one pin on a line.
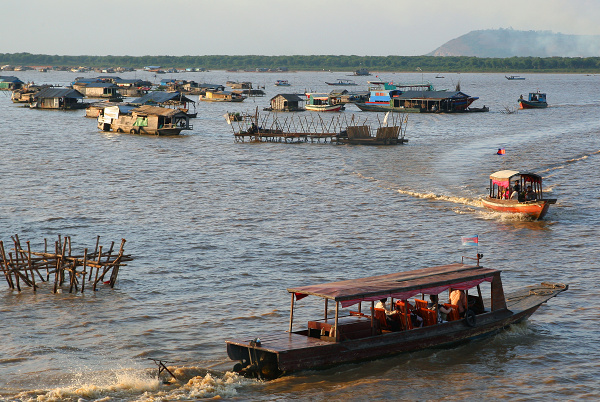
pixel 194 383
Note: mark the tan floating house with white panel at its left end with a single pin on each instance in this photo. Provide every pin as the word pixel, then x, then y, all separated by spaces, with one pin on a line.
pixel 153 120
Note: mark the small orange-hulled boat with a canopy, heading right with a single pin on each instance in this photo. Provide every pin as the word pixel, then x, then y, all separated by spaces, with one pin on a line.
pixel 502 188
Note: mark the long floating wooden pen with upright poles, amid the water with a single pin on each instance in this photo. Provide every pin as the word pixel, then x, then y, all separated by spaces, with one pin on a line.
pixel 336 129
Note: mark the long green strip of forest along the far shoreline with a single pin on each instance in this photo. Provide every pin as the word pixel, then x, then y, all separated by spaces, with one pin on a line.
pixel 319 62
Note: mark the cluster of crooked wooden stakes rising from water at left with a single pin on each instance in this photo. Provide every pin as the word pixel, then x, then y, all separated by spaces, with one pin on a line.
pixel 25 268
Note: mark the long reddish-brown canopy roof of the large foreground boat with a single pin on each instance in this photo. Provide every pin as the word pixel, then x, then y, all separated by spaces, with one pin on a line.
pixel 401 285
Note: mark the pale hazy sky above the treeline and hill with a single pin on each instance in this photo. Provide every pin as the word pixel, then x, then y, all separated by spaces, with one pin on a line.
pixel 273 27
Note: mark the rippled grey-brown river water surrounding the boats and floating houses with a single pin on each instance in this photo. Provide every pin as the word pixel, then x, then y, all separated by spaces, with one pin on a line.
pixel 218 231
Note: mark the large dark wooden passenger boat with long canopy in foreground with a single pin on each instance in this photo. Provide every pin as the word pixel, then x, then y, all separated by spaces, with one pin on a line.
pixel 350 336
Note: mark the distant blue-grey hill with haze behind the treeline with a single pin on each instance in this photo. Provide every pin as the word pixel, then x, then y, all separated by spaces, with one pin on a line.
pixel 510 42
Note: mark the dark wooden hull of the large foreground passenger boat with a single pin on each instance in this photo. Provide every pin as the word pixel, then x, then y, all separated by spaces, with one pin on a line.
pixel 284 353
